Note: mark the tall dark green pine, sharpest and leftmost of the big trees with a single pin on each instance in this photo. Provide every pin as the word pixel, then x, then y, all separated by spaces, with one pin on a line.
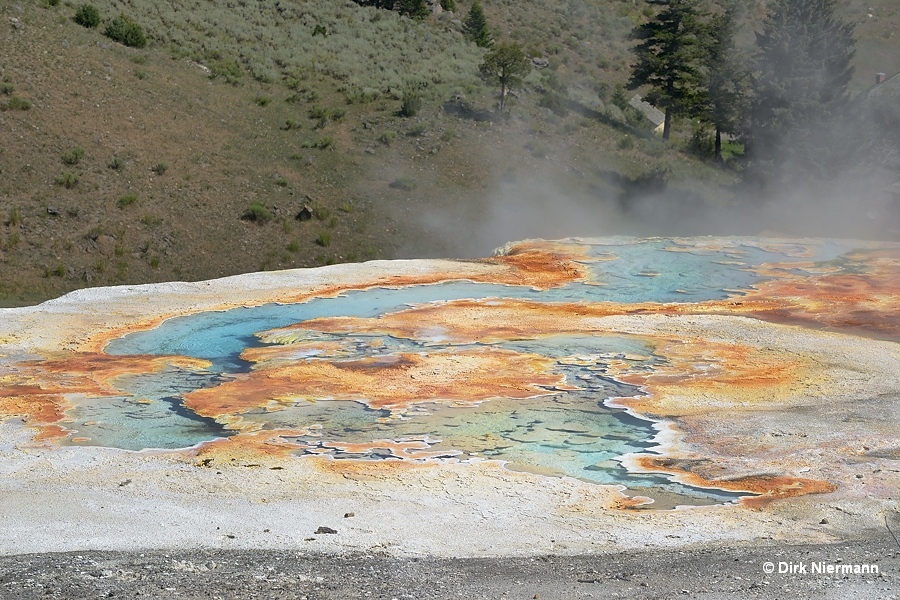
pixel 669 58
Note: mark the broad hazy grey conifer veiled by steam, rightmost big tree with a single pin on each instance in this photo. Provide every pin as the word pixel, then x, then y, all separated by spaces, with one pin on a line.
pixel 800 92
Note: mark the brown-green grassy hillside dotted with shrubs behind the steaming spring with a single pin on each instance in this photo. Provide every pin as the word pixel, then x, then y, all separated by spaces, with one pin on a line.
pixel 132 166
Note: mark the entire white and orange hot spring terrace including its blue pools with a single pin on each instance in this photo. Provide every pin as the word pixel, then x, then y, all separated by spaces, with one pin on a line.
pixel 562 397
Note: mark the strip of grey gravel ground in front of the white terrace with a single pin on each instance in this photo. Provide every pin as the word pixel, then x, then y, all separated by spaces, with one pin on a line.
pixel 706 573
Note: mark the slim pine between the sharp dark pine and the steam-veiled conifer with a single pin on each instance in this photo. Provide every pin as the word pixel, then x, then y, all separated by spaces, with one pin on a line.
pixel 726 77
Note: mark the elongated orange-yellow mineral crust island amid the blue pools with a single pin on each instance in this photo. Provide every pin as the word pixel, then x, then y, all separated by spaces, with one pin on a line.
pixel 394 381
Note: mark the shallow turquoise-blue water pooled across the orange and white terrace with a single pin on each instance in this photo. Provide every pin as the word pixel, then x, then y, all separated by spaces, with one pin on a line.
pixel 569 433
